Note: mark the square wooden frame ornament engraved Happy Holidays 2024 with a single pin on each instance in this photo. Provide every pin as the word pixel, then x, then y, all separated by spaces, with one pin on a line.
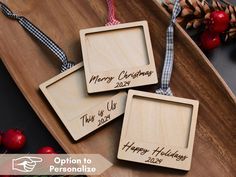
pixel 158 130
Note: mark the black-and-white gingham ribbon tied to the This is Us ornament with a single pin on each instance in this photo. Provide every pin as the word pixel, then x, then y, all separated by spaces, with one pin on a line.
pixel 43 38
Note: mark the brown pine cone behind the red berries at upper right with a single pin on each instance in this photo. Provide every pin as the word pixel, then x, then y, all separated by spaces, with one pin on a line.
pixel 194 14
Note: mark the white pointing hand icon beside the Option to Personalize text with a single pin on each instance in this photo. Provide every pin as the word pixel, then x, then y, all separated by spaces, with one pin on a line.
pixel 25 164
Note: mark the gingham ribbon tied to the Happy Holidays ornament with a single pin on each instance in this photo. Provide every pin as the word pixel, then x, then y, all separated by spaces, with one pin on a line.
pixel 169 56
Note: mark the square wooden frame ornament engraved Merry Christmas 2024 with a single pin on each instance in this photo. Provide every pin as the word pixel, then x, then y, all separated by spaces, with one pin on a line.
pixel 118 56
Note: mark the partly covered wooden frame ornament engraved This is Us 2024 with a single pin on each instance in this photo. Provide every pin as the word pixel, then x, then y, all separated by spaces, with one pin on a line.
pixel 81 113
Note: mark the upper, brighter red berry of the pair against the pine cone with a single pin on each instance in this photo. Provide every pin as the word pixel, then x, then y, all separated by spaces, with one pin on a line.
pixel 219 21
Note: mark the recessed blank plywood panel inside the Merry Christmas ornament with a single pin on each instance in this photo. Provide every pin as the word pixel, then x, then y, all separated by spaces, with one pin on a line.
pixel 116 49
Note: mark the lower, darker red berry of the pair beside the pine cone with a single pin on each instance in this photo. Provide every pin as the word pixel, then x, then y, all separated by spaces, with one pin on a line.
pixel 210 40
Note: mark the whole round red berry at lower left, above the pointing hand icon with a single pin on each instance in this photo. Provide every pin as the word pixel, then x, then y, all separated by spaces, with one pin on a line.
pixel 13 139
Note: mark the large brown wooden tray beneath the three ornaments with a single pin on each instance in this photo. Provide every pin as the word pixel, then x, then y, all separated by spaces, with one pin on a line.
pixel 193 77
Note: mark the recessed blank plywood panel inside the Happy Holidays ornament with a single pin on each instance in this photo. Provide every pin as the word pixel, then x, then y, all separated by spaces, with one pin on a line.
pixel 158 121
